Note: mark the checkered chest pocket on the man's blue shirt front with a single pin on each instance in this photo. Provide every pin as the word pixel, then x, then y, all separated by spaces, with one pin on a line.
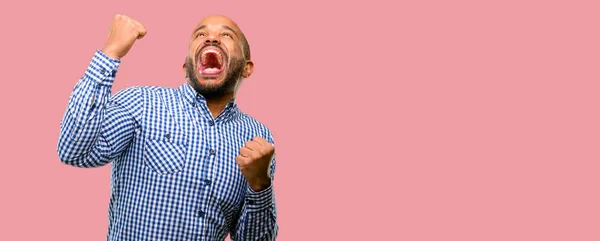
pixel 164 157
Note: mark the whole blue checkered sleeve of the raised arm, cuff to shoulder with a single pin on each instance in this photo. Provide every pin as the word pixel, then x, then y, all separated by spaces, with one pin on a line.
pixel 97 127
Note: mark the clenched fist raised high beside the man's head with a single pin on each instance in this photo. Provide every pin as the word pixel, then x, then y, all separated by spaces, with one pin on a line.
pixel 124 31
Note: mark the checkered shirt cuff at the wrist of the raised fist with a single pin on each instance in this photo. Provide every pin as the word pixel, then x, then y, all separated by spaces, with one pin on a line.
pixel 103 69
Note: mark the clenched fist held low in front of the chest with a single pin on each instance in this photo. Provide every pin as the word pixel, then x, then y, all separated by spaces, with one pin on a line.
pixel 254 161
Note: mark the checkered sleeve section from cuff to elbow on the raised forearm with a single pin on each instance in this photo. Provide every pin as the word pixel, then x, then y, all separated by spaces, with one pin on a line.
pixel 80 142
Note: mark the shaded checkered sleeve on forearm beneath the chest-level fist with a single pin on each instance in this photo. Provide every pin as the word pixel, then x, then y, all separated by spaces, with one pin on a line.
pixel 258 219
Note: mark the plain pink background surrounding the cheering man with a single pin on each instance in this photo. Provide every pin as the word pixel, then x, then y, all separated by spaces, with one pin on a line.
pixel 432 120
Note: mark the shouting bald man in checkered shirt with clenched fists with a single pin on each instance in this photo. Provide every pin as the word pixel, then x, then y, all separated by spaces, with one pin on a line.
pixel 187 164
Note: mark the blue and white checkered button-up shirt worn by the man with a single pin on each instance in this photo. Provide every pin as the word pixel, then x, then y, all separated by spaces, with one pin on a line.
pixel 173 169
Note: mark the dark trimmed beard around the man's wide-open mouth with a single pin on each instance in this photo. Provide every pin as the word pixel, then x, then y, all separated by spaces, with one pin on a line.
pixel 234 69
